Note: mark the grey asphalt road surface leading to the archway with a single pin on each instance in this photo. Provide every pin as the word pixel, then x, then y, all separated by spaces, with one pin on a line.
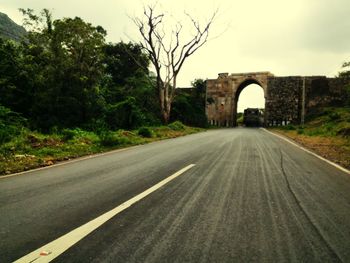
pixel 251 197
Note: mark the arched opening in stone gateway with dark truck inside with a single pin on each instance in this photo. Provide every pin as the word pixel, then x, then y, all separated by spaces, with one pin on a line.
pixel 249 104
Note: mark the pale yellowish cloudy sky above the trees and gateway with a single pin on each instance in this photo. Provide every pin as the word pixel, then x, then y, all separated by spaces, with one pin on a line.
pixel 299 37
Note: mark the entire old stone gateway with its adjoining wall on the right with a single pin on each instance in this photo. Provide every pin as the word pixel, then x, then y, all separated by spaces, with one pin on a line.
pixel 284 99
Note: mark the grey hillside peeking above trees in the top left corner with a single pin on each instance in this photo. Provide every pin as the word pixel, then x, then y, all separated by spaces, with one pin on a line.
pixel 9 29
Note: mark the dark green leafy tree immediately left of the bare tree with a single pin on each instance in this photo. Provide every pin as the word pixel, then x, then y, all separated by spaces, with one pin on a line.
pixel 128 77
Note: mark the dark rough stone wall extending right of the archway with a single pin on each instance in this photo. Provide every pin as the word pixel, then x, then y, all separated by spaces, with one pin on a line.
pixel 284 102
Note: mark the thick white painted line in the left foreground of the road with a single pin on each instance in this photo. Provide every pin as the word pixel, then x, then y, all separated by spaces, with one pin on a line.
pixel 53 249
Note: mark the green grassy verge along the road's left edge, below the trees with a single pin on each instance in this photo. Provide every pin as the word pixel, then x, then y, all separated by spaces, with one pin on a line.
pixel 32 149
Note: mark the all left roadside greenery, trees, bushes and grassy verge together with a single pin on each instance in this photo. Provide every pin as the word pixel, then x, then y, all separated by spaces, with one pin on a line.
pixel 66 92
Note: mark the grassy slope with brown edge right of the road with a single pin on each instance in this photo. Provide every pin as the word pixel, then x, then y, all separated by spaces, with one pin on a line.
pixel 327 134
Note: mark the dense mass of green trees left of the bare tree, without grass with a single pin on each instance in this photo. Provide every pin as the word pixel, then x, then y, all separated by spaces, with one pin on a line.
pixel 65 75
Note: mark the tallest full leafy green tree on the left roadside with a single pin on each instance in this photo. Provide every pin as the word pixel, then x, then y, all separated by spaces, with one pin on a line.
pixel 79 63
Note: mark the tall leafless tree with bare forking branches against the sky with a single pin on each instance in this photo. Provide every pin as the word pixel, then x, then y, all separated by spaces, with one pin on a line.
pixel 167 53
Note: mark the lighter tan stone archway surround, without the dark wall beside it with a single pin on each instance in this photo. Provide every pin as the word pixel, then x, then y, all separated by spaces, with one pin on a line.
pixel 222 95
